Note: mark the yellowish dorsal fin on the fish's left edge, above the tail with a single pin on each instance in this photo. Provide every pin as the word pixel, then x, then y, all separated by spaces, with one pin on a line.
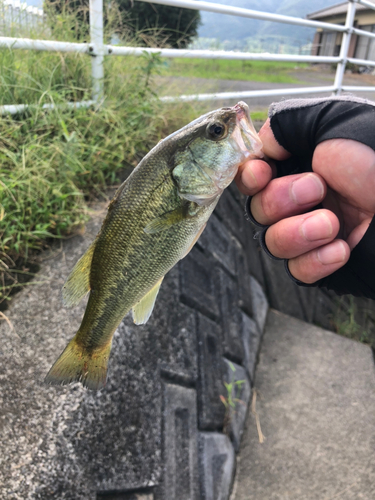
pixel 78 282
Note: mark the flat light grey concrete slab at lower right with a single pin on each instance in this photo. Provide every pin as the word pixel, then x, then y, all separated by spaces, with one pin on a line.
pixel 316 407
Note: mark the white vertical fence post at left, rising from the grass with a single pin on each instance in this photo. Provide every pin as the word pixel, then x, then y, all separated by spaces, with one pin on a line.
pixel 96 48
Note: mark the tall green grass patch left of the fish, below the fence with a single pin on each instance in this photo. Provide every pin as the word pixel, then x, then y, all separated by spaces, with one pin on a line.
pixel 51 160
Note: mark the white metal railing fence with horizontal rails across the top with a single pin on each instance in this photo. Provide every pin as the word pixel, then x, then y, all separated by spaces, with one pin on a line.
pixel 98 50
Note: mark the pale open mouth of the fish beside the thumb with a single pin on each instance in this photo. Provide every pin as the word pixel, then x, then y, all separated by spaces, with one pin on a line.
pixel 245 135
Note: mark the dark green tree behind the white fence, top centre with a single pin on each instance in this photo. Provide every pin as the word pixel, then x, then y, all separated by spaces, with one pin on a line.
pixel 162 24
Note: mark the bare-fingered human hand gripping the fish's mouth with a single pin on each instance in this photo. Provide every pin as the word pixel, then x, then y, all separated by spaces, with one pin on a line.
pixel 316 243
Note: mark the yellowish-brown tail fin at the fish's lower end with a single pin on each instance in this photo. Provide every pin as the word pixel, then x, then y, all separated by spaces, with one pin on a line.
pixel 77 364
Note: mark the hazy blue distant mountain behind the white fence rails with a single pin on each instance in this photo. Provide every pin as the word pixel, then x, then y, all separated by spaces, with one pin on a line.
pixel 225 27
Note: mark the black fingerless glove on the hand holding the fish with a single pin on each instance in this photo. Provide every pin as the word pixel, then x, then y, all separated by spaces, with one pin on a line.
pixel 299 125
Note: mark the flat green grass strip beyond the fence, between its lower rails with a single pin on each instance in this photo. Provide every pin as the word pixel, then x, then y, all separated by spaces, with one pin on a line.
pixel 257 71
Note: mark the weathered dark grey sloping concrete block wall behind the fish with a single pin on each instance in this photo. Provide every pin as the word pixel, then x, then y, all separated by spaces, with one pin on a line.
pixel 159 429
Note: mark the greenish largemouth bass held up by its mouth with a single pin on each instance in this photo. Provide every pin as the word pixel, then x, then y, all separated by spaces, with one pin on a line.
pixel 153 221
